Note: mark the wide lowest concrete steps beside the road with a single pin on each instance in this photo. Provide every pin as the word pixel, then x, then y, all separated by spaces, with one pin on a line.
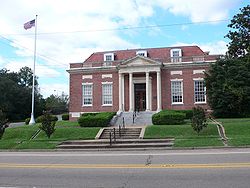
pixel 119 144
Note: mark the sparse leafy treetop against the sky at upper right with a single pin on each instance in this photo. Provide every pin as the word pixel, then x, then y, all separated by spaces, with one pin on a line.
pixel 240 35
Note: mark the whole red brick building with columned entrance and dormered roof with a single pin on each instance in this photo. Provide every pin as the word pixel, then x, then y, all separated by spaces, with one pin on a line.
pixel 139 79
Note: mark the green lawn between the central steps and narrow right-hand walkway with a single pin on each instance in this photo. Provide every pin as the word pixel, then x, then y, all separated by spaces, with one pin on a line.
pixel 185 136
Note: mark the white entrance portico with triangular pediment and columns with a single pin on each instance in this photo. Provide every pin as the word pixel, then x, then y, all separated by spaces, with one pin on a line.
pixel 139 86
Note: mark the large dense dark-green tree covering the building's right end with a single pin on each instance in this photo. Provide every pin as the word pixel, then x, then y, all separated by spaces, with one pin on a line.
pixel 228 87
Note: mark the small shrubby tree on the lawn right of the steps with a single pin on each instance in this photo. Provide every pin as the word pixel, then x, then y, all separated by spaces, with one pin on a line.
pixel 199 120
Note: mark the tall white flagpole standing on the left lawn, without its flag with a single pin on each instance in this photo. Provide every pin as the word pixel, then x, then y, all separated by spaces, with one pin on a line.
pixel 32 119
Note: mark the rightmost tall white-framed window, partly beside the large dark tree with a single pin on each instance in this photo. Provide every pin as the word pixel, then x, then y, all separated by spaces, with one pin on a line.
pixel 199 91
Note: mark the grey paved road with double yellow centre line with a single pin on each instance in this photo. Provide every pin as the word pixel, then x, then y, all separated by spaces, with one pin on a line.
pixel 224 168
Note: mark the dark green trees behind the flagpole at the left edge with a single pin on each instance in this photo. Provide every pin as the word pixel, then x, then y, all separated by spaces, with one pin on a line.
pixel 15 89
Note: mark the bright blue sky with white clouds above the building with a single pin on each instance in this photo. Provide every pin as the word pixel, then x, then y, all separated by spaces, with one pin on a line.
pixel 70 31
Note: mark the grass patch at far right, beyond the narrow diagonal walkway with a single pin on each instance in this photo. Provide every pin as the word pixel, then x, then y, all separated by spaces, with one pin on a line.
pixel 237 130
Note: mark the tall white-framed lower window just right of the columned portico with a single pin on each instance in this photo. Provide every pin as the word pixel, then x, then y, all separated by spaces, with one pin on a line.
pixel 177 92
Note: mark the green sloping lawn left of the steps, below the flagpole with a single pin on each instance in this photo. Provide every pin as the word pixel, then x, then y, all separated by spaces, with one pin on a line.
pixel 19 137
